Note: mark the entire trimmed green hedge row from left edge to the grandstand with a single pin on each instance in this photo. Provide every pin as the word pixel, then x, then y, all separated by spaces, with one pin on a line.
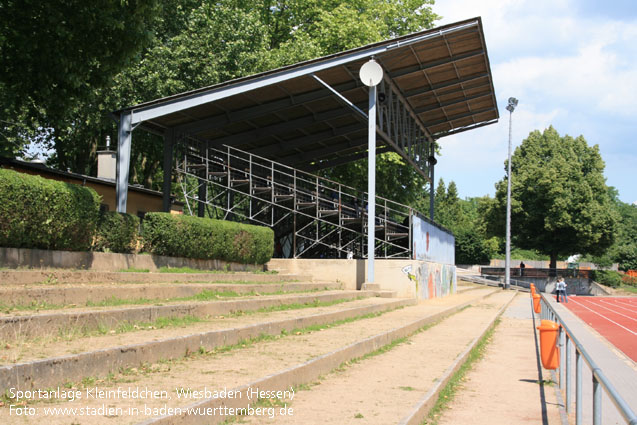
pixel 41 213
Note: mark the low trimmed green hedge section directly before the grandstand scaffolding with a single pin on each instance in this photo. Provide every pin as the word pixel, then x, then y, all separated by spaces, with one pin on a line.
pixel 194 237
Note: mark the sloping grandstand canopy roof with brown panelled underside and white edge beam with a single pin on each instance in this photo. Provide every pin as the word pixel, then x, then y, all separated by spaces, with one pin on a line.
pixel 437 82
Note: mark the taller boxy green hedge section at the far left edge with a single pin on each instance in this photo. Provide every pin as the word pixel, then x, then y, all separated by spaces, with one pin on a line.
pixel 40 213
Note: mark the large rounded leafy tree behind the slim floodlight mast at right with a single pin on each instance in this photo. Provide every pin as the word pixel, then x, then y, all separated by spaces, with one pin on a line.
pixel 560 202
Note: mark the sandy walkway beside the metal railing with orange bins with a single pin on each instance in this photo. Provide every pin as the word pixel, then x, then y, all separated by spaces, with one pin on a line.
pixel 503 387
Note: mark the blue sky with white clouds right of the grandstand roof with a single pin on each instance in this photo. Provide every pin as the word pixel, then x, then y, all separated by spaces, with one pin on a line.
pixel 571 64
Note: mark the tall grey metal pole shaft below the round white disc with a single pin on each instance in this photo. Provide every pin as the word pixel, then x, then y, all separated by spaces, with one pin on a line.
pixel 371 184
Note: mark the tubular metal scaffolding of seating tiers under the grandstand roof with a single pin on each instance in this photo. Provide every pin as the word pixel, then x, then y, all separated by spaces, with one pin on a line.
pixel 311 216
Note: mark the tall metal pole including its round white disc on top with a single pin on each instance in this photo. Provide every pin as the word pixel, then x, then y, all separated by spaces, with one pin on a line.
pixel 371 73
